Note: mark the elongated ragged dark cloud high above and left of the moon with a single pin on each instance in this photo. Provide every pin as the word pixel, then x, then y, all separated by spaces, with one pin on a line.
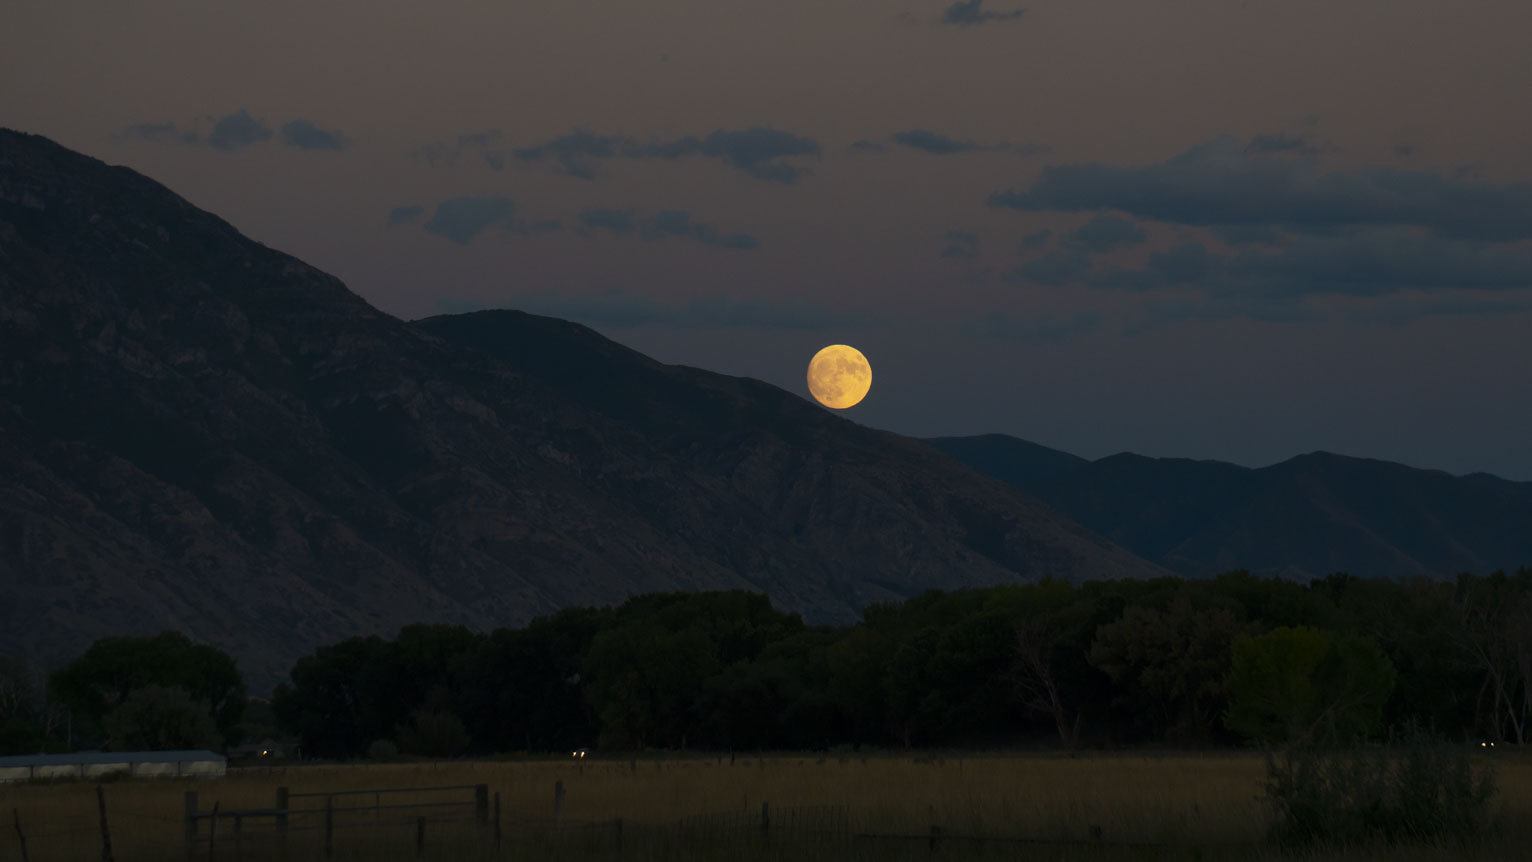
pixel 758 151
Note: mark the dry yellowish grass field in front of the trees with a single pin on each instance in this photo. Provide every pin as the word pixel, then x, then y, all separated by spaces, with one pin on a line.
pixel 1093 808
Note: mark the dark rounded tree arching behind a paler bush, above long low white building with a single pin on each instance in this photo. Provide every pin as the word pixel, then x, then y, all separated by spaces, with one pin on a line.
pixel 114 668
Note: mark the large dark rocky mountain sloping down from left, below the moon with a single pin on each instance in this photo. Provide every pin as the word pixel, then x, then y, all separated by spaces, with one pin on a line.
pixel 200 433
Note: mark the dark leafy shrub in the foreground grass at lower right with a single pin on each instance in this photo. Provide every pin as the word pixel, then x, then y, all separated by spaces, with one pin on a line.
pixel 1418 791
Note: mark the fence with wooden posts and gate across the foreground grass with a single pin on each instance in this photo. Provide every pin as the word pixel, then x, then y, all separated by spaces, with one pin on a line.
pixel 439 820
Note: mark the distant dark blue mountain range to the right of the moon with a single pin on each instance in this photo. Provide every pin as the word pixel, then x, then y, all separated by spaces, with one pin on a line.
pixel 1309 517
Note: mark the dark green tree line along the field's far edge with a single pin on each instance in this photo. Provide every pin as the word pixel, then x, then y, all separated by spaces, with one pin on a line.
pixel 1170 662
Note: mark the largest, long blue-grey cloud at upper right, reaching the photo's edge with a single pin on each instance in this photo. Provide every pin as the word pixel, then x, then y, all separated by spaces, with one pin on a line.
pixel 1222 184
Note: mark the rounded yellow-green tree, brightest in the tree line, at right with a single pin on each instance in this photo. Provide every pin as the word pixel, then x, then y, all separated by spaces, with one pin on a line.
pixel 1301 687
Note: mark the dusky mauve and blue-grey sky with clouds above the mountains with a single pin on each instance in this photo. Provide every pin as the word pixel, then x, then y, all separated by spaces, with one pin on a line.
pixel 1208 229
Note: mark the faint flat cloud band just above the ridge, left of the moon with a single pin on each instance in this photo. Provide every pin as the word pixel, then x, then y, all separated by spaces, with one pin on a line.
pixel 621 310
